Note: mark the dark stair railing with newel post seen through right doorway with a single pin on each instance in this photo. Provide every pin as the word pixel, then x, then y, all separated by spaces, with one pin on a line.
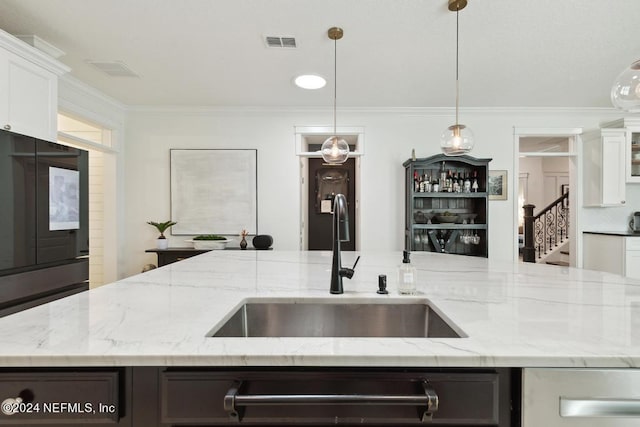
pixel 546 230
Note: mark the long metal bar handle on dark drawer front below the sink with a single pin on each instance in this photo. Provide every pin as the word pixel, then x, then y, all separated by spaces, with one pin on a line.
pixel 235 402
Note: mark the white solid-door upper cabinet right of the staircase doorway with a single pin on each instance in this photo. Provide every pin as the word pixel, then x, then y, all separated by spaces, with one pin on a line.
pixel 604 167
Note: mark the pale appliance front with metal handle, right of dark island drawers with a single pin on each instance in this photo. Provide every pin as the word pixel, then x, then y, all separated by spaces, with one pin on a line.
pixel 580 397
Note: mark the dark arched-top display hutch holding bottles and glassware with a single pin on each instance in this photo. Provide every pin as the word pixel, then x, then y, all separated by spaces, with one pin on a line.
pixel 447 205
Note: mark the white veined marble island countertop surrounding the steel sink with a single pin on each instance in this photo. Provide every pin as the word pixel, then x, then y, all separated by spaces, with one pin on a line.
pixel 520 315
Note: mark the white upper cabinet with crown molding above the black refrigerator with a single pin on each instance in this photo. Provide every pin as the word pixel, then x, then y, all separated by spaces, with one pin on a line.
pixel 29 88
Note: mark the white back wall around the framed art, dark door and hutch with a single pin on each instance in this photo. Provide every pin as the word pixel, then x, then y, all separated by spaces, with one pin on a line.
pixel 389 137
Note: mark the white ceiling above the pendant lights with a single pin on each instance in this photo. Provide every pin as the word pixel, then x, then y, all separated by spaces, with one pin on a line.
pixel 395 53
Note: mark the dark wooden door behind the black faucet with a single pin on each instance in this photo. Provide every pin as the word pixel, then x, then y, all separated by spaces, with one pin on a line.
pixel 324 182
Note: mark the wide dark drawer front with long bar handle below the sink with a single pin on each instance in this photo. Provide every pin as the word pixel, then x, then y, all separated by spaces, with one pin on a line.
pixel 347 396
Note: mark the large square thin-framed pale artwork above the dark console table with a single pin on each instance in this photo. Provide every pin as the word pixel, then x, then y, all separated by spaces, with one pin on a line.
pixel 214 191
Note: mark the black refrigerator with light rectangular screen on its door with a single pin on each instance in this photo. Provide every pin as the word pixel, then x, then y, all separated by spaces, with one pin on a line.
pixel 44 221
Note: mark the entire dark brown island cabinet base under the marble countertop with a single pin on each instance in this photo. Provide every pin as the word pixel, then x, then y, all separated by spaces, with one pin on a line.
pixel 148 396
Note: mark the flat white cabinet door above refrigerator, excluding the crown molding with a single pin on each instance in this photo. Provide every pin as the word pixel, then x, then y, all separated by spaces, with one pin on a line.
pixel 30 106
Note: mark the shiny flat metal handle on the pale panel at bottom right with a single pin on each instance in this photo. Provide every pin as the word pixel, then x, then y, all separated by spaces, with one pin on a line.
pixel 604 407
